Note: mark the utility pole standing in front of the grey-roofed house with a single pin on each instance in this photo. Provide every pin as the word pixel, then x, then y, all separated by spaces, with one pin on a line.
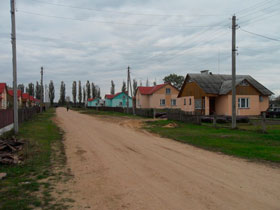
pixel 234 71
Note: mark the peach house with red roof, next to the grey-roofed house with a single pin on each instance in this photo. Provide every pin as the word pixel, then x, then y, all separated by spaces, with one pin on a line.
pixel 157 97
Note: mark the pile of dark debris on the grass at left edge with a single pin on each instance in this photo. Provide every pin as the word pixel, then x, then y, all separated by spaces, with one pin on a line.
pixel 9 151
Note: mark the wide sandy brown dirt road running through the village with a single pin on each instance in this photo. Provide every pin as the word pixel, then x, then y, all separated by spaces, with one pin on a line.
pixel 116 167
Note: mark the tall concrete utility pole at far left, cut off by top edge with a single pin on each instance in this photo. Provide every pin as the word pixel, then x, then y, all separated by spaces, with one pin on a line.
pixel 13 37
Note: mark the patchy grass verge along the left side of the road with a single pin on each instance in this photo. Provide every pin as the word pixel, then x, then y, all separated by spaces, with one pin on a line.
pixel 25 186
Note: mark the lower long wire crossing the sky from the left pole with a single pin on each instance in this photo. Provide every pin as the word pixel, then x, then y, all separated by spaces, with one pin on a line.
pixel 109 22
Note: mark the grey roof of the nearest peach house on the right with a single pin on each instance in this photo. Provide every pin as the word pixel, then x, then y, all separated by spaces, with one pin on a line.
pixel 220 84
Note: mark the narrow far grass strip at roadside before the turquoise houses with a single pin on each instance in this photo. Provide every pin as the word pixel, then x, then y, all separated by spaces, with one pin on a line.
pixel 104 113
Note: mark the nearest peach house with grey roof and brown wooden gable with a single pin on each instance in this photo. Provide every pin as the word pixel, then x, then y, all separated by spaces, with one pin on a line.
pixel 209 94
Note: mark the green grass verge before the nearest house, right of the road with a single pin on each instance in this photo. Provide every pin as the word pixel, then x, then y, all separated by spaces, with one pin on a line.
pixel 252 145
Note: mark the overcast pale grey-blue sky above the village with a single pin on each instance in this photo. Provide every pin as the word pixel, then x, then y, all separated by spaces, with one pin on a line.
pixel 97 40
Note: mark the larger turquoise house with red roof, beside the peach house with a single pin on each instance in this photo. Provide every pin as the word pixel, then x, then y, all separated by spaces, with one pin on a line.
pixel 118 100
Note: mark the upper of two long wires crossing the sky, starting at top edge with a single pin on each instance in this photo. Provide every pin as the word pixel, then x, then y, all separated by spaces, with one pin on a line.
pixel 125 13
